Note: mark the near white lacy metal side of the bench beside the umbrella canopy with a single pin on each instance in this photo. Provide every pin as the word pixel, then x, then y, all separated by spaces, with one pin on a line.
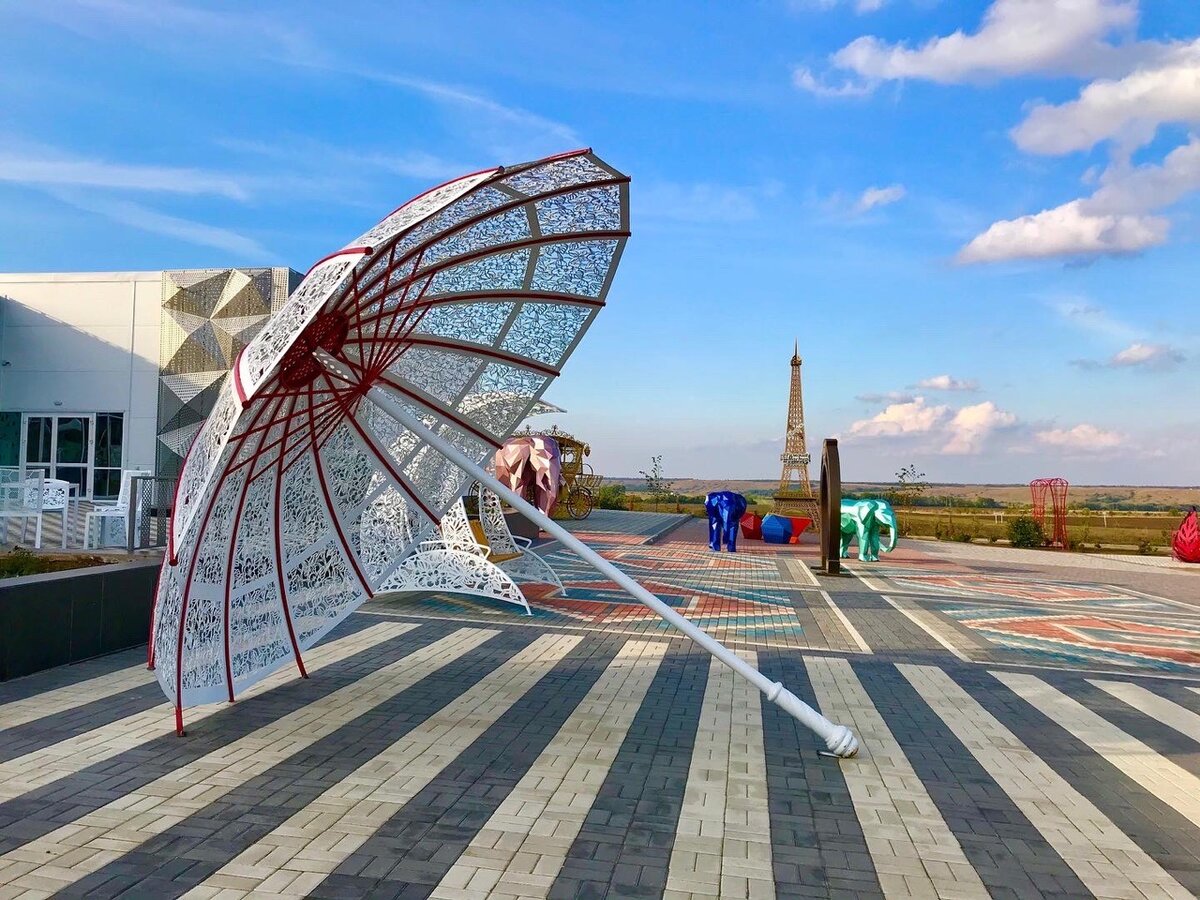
pixel 455 563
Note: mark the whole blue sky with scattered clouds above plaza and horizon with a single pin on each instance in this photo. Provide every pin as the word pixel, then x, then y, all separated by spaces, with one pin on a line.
pixel 979 219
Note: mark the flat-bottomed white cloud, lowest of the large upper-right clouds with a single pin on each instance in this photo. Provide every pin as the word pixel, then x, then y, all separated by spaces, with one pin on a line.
pixel 1065 231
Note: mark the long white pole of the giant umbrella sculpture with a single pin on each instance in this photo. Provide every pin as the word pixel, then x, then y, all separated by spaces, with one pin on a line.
pixel 841 741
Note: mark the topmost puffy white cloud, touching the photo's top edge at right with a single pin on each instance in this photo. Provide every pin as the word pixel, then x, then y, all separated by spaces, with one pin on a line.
pixel 1016 38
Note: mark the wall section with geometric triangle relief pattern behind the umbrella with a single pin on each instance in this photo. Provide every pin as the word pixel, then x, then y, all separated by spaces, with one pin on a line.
pixel 208 316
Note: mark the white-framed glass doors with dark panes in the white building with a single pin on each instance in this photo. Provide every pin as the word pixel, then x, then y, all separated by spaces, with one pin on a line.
pixel 64 447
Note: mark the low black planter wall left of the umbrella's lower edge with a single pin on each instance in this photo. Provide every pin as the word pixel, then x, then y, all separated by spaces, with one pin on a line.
pixel 52 620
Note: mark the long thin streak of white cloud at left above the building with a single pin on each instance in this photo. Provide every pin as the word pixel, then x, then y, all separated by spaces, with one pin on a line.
pixel 47 169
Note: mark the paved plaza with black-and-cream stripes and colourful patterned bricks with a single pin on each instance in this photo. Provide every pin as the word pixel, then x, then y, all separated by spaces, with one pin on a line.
pixel 1029 729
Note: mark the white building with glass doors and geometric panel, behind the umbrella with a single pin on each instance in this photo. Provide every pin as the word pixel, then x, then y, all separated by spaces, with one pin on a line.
pixel 110 371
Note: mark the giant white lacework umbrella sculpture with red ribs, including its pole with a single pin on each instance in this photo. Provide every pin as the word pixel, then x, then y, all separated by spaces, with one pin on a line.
pixel 369 404
